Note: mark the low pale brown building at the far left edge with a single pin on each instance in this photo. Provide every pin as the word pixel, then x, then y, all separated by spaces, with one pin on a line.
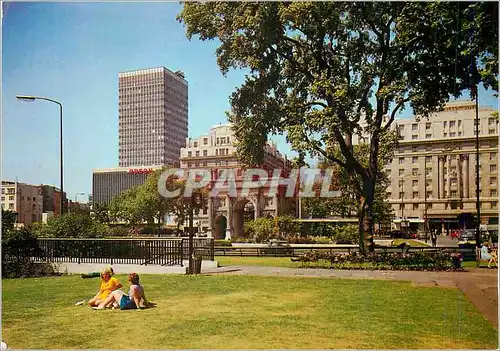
pixel 25 199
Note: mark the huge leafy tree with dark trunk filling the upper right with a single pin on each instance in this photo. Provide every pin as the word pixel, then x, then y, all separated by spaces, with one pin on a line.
pixel 323 72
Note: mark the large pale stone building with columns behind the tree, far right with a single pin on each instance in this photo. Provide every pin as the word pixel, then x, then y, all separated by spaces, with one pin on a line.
pixel 433 172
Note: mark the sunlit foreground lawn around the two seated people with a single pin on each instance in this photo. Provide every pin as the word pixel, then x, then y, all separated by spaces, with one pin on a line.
pixel 244 312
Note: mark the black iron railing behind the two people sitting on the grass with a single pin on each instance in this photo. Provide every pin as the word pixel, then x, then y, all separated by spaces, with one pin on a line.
pixel 158 251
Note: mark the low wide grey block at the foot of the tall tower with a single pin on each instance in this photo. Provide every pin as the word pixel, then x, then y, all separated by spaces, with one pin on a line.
pixel 109 182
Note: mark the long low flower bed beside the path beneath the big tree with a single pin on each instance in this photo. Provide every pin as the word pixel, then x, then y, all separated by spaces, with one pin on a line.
pixel 415 261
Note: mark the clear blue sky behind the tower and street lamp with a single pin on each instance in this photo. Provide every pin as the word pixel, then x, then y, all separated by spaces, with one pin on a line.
pixel 73 52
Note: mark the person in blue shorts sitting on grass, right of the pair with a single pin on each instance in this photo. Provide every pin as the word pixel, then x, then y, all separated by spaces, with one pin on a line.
pixel 135 298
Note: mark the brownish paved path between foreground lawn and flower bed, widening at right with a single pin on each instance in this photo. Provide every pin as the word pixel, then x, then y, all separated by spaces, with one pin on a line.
pixel 478 284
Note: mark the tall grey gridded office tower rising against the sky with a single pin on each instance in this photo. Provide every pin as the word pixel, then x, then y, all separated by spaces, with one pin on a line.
pixel 153 117
